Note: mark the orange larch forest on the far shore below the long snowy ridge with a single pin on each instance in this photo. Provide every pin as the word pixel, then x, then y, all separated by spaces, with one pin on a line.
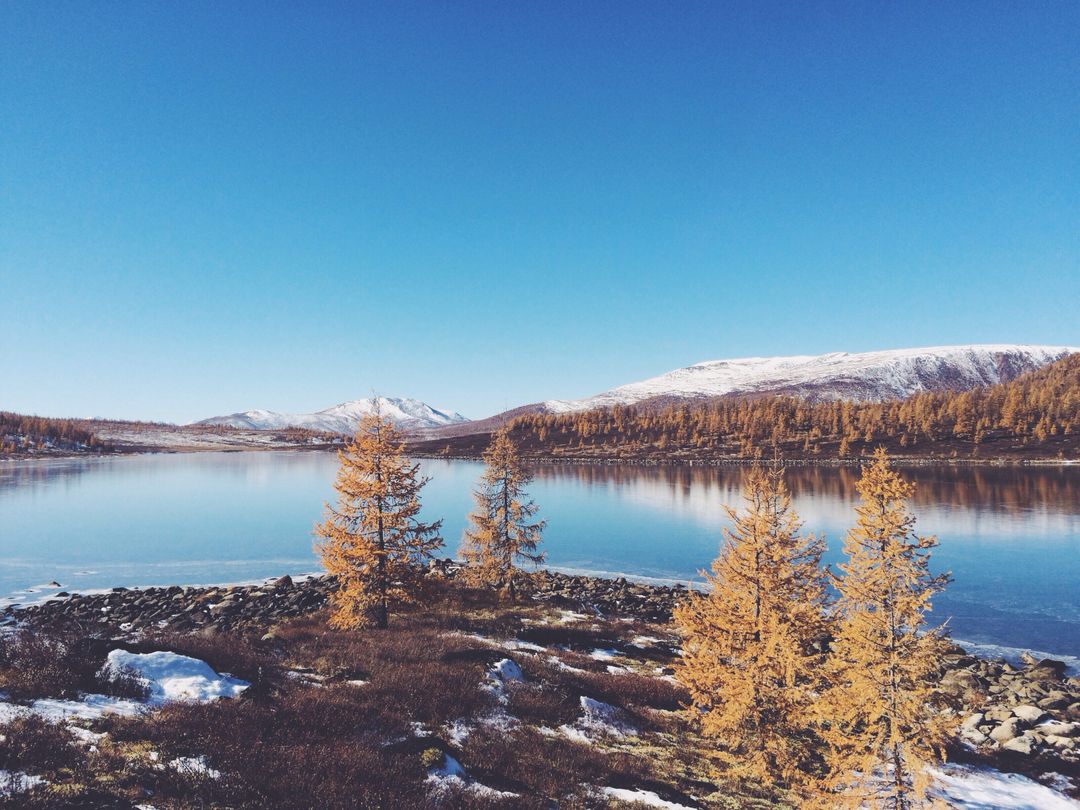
pixel 1035 416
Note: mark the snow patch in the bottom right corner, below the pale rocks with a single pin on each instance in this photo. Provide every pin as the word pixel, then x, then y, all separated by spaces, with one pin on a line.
pixel 985 789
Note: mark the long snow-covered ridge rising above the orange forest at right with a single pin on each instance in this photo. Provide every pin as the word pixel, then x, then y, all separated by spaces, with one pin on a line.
pixel 868 376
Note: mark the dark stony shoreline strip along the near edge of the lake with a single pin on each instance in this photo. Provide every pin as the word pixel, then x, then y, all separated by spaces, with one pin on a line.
pixel 1025 713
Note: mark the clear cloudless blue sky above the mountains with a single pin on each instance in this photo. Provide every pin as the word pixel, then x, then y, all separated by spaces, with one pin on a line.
pixel 212 207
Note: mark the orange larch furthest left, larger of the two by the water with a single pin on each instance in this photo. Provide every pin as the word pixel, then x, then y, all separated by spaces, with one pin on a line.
pixel 373 542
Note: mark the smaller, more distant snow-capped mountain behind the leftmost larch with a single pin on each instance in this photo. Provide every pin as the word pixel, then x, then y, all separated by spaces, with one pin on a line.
pixel 408 415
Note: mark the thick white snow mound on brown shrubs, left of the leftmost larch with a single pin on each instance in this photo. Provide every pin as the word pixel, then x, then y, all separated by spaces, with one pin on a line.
pixel 171 677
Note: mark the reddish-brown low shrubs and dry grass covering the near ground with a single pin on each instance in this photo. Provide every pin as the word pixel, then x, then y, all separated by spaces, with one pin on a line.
pixel 320 741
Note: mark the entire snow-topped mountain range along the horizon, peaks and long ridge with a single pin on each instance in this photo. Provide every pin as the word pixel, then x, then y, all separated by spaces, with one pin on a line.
pixel 866 376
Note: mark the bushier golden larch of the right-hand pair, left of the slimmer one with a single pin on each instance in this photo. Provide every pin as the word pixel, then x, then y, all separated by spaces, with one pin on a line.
pixel 752 643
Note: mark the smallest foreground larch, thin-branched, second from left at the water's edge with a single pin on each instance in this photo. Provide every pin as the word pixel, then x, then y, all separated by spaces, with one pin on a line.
pixel 502 529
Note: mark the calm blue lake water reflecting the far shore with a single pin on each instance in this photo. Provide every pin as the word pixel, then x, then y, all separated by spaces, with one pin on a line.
pixel 1010 536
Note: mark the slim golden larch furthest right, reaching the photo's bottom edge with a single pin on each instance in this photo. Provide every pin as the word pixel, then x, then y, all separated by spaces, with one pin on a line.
pixel 883 719
